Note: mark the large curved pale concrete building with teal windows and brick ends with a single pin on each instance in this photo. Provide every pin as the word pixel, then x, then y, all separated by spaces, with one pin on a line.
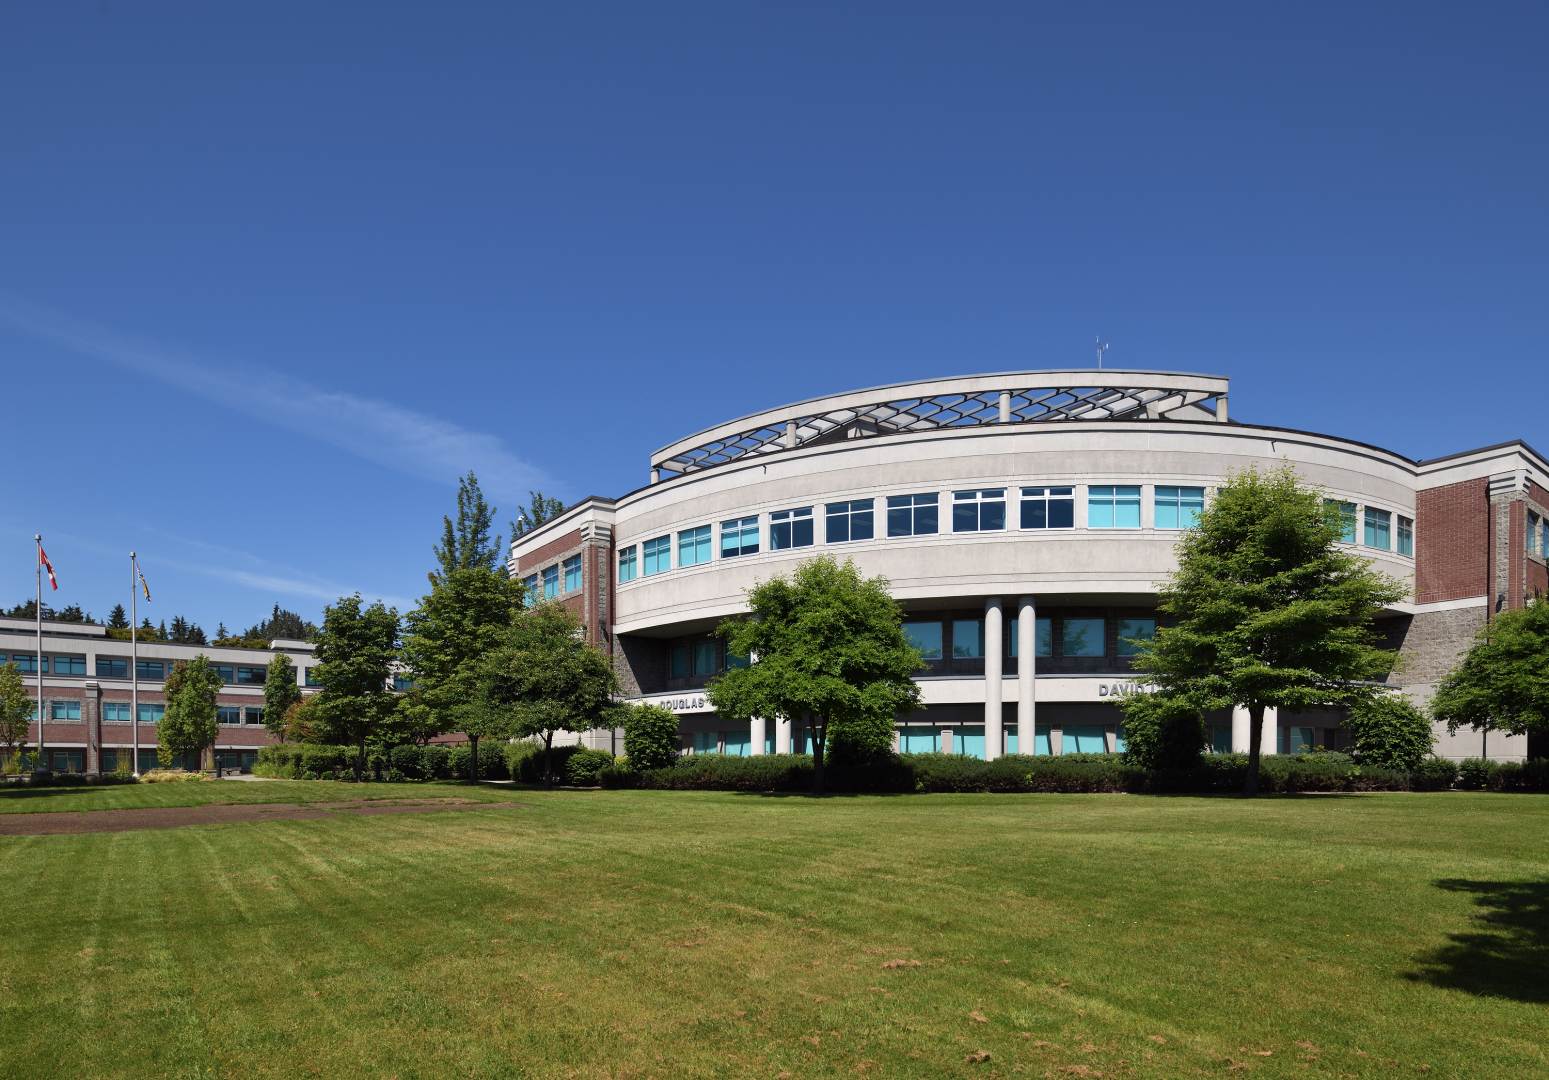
pixel 1029 507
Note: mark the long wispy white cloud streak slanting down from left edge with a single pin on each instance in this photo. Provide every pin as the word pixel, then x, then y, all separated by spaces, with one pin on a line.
pixel 379 432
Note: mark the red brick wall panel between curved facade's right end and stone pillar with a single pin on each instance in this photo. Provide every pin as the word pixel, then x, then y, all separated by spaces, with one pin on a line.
pixel 1452 542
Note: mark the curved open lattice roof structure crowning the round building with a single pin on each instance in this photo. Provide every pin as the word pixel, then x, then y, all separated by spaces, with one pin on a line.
pixel 963 402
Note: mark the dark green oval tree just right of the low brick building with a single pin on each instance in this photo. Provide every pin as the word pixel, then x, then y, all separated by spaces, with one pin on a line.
pixel 355 652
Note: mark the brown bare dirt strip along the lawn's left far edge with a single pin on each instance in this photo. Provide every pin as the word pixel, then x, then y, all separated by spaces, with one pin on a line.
pixel 173 817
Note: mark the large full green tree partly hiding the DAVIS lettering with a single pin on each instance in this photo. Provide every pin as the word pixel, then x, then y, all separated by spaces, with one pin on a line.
pixel 1266 610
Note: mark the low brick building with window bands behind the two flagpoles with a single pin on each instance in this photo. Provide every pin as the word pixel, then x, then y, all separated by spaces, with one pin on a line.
pixel 88 693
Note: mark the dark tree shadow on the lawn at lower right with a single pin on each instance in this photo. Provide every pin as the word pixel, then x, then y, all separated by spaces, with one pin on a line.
pixel 1506 955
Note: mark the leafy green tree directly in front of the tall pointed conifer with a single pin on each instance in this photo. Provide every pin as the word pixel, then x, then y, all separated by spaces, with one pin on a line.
pixel 469 613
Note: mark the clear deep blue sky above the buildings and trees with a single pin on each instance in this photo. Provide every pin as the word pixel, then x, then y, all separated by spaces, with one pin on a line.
pixel 273 275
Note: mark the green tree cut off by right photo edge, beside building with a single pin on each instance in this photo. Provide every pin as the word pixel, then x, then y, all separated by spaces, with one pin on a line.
pixel 1503 683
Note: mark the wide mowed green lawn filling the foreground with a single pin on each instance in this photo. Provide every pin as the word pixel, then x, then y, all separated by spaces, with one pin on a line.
pixel 685 935
